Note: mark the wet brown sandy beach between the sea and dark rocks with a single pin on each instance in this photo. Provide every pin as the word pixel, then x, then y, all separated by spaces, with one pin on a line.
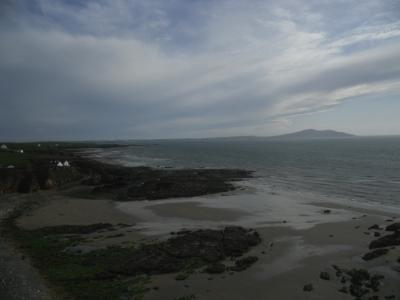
pixel 298 241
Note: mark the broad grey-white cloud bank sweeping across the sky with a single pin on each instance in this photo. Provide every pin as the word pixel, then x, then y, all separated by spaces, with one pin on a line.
pixel 56 83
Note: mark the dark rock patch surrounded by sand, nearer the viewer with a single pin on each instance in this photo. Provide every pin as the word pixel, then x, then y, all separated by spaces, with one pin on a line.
pixel 191 249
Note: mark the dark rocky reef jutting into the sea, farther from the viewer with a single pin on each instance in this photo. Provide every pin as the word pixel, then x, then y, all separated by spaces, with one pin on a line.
pixel 126 184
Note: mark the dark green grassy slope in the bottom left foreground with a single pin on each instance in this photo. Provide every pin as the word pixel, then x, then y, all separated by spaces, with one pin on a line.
pixel 83 277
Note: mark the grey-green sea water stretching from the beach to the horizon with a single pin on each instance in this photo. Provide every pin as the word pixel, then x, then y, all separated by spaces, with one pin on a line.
pixel 360 169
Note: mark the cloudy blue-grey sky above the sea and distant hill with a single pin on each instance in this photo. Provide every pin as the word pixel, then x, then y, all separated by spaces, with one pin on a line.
pixel 122 69
